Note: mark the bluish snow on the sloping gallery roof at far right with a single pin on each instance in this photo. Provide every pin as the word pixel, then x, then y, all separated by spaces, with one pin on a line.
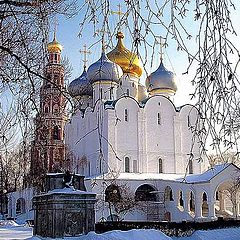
pixel 206 176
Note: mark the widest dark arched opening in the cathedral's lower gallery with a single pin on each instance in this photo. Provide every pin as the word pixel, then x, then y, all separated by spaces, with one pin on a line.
pixel 146 193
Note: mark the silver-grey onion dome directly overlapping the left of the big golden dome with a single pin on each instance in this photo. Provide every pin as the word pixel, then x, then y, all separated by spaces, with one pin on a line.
pixel 104 70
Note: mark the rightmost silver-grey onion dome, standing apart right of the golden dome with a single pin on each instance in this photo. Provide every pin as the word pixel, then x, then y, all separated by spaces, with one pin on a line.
pixel 161 81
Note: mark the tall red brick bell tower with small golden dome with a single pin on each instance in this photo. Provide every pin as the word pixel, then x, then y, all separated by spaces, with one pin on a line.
pixel 48 150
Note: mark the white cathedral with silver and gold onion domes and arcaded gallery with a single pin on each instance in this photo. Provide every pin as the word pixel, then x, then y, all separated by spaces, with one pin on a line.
pixel 137 150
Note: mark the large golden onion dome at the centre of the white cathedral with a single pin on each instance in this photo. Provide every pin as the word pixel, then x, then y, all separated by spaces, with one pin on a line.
pixel 127 60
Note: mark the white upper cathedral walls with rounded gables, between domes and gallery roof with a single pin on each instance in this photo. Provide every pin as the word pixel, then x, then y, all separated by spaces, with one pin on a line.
pixel 148 132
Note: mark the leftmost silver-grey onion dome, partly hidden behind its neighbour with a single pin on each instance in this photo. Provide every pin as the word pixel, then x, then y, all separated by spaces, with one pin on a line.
pixel 80 86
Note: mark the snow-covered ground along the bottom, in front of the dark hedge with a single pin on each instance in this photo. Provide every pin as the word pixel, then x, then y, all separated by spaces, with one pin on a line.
pixel 9 230
